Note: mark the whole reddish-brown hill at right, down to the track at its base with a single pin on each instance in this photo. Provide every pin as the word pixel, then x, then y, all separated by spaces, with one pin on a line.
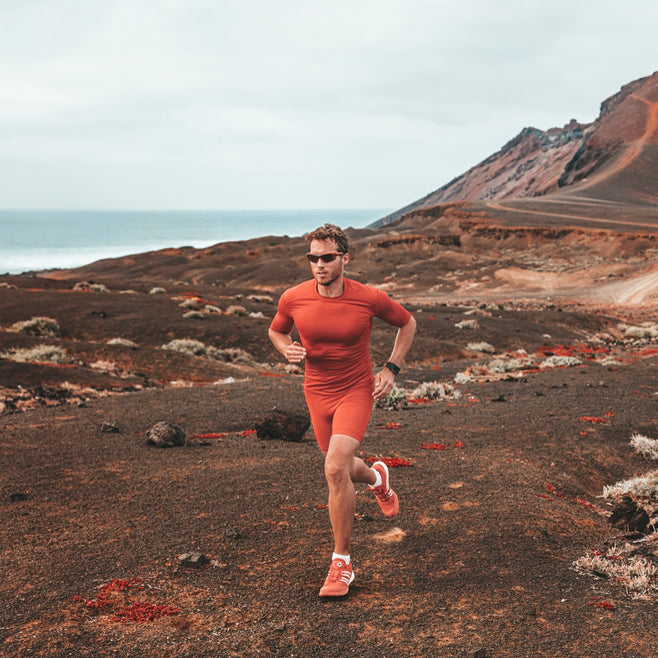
pixel 618 149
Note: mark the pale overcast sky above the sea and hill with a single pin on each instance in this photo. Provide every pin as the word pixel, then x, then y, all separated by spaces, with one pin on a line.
pixel 218 104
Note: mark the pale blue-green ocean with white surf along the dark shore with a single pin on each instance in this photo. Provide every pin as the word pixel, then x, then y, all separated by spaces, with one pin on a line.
pixel 32 240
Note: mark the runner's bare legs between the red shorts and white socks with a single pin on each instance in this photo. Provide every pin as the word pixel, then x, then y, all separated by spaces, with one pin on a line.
pixel 342 468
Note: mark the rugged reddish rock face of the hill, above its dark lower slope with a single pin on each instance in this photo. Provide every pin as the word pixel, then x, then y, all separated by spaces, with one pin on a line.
pixel 536 163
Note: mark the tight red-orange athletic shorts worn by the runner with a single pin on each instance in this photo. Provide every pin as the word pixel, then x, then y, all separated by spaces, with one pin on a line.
pixel 345 413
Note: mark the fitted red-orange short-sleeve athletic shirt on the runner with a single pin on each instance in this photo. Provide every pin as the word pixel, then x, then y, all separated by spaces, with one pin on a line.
pixel 336 330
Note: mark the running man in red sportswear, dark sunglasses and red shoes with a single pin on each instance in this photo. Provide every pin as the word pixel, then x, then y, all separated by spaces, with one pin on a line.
pixel 333 316
